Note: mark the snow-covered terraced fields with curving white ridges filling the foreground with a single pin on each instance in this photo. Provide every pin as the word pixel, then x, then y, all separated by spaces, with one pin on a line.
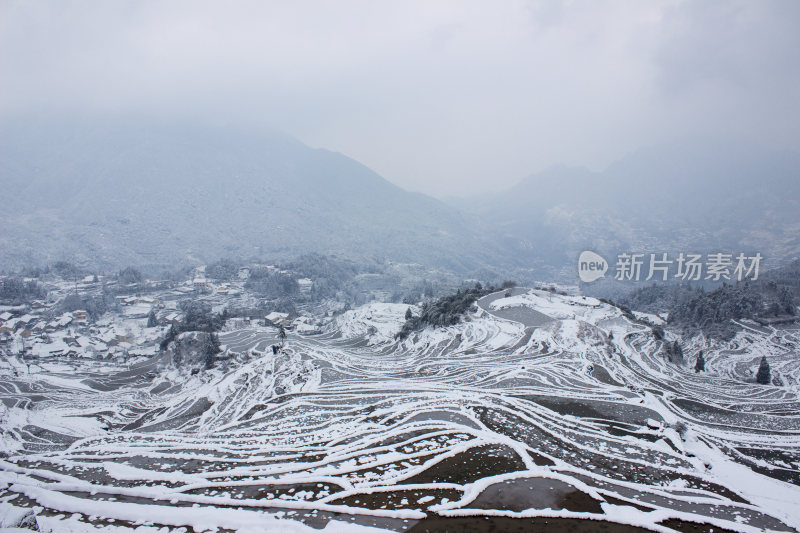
pixel 573 419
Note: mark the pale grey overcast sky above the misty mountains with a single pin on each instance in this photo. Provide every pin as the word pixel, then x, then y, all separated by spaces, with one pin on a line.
pixel 447 98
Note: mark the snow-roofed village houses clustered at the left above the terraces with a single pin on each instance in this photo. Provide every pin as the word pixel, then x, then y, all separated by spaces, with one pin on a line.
pixel 136 319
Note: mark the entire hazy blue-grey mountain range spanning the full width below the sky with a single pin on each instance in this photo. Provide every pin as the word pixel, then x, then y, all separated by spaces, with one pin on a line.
pixel 109 192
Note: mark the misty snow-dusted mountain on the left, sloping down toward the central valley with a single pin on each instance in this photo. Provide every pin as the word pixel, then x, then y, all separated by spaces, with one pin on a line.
pixel 109 193
